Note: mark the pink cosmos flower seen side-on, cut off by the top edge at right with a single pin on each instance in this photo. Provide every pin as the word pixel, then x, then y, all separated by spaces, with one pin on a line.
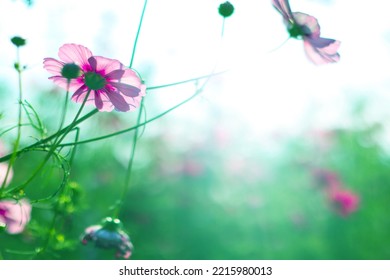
pixel 319 50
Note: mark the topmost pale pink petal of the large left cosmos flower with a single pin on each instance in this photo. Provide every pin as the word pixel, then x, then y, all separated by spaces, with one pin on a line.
pixel 72 53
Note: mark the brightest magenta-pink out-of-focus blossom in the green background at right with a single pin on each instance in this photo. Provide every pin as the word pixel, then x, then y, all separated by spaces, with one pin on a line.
pixel 346 201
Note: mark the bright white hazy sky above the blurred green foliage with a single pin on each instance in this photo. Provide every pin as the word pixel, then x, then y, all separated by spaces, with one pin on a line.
pixel 277 91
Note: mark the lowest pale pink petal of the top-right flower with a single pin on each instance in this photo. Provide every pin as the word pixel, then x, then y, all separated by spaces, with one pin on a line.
pixel 321 50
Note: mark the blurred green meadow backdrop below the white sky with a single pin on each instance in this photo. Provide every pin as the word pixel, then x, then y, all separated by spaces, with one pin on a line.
pixel 215 192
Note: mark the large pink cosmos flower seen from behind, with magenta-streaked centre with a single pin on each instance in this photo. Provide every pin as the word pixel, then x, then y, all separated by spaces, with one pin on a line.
pixel 110 83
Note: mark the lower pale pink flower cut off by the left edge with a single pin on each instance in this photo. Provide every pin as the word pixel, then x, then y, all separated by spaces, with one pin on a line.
pixel 15 215
